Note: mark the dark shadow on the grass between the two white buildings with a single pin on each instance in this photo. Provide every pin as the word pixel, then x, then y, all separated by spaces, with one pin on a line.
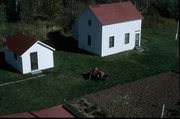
pixel 60 42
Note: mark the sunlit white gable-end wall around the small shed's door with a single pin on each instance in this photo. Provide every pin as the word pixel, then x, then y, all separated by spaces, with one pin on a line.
pixel 45 58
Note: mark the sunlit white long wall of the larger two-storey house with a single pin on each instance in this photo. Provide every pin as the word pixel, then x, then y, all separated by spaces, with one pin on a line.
pixel 118 30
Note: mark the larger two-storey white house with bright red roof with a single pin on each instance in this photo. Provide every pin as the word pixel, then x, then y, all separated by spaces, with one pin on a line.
pixel 108 28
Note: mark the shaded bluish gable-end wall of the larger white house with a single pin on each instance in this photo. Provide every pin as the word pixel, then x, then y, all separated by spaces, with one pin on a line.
pixel 95 30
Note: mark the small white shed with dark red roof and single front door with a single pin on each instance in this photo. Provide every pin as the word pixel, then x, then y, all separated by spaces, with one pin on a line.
pixel 27 54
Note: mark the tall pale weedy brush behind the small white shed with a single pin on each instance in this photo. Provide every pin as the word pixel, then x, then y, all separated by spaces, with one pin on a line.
pixel 37 29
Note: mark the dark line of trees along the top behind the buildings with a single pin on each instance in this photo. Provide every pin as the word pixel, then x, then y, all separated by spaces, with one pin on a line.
pixel 63 12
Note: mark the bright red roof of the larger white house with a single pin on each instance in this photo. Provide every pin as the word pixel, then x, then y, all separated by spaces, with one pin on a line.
pixel 115 12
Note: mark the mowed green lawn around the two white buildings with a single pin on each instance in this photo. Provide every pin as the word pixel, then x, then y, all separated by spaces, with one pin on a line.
pixel 65 80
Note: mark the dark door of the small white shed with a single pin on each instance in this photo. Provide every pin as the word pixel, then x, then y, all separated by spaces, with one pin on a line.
pixel 34 61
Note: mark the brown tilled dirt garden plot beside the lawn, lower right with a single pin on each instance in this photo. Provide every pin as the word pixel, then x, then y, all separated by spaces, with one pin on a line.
pixel 142 98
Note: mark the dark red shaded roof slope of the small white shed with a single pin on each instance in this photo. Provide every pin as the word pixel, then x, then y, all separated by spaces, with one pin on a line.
pixel 19 43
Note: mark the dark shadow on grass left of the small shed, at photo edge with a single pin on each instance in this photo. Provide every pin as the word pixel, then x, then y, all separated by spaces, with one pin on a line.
pixel 4 65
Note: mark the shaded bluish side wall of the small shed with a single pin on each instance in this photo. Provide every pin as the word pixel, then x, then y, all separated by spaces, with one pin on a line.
pixel 16 63
